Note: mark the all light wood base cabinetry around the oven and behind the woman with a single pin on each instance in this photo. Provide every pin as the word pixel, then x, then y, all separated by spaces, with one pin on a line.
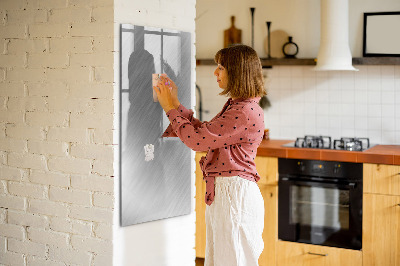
pixel 381 221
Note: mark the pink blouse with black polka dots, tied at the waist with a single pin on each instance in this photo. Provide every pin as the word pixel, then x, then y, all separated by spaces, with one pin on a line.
pixel 231 139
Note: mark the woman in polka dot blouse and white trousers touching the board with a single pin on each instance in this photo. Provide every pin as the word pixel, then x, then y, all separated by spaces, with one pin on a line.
pixel 235 207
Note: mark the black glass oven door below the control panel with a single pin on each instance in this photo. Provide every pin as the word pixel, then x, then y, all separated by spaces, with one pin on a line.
pixel 321 212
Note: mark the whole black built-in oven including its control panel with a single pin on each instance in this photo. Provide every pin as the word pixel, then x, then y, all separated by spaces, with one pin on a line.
pixel 320 202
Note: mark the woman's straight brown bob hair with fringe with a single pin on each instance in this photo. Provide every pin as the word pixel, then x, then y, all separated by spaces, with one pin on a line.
pixel 245 78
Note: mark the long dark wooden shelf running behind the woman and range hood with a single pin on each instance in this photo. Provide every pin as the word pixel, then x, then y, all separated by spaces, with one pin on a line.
pixel 312 61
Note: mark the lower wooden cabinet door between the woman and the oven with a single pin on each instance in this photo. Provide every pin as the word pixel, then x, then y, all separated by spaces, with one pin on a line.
pixel 270 233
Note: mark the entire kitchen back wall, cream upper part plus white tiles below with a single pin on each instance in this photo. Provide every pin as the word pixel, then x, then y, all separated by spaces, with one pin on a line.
pixel 337 104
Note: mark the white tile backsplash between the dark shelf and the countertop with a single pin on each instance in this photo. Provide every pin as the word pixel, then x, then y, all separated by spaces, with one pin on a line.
pixel 338 104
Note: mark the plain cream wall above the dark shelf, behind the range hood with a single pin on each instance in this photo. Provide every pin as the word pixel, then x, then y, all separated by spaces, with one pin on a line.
pixel 299 18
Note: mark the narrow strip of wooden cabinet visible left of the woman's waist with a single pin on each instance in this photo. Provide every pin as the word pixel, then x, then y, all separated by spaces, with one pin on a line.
pixel 200 209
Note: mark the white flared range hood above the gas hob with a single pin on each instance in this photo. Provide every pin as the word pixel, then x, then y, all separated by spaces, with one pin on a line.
pixel 334 51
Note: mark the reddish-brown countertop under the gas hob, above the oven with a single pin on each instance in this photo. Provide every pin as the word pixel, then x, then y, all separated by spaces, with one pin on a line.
pixel 379 154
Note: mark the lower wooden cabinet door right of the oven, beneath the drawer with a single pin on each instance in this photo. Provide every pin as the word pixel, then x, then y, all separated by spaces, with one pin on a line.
pixel 381 230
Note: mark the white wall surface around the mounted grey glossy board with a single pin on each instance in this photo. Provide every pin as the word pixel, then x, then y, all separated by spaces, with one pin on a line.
pixel 168 241
